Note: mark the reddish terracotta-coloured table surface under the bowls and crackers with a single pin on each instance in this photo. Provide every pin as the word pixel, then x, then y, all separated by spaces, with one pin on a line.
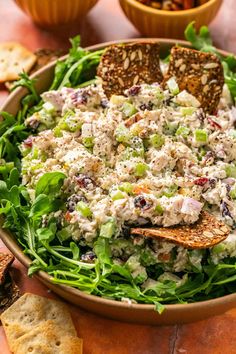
pixel 102 336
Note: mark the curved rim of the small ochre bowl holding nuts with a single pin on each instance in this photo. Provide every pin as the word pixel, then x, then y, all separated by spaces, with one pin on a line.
pixel 151 10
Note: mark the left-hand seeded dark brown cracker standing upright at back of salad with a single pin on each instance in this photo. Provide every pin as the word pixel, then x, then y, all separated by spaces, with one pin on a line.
pixel 123 66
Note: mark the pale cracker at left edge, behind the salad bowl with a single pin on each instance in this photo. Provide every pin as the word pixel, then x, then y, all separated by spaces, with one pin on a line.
pixel 14 59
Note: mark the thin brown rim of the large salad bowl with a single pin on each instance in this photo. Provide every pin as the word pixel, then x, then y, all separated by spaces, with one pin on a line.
pixel 10 241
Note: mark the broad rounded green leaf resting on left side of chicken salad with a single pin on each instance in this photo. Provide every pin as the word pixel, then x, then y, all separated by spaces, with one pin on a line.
pixel 50 184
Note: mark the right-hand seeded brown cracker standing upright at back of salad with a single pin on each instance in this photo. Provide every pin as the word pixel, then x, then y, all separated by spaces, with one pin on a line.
pixel 201 74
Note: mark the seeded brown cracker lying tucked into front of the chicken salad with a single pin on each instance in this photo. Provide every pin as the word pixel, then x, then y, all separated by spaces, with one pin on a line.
pixel 206 232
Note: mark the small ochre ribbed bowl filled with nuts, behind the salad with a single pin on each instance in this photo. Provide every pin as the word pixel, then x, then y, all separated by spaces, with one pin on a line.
pixel 168 24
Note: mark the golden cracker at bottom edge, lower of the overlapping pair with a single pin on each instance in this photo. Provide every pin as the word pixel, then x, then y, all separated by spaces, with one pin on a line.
pixel 48 338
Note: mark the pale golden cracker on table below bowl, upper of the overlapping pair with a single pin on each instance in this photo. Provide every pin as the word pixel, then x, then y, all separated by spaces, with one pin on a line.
pixel 32 310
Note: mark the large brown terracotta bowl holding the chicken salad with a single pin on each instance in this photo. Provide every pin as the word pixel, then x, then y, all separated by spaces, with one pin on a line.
pixel 117 310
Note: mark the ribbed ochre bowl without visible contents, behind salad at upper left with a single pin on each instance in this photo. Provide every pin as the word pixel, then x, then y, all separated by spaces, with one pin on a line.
pixel 55 12
